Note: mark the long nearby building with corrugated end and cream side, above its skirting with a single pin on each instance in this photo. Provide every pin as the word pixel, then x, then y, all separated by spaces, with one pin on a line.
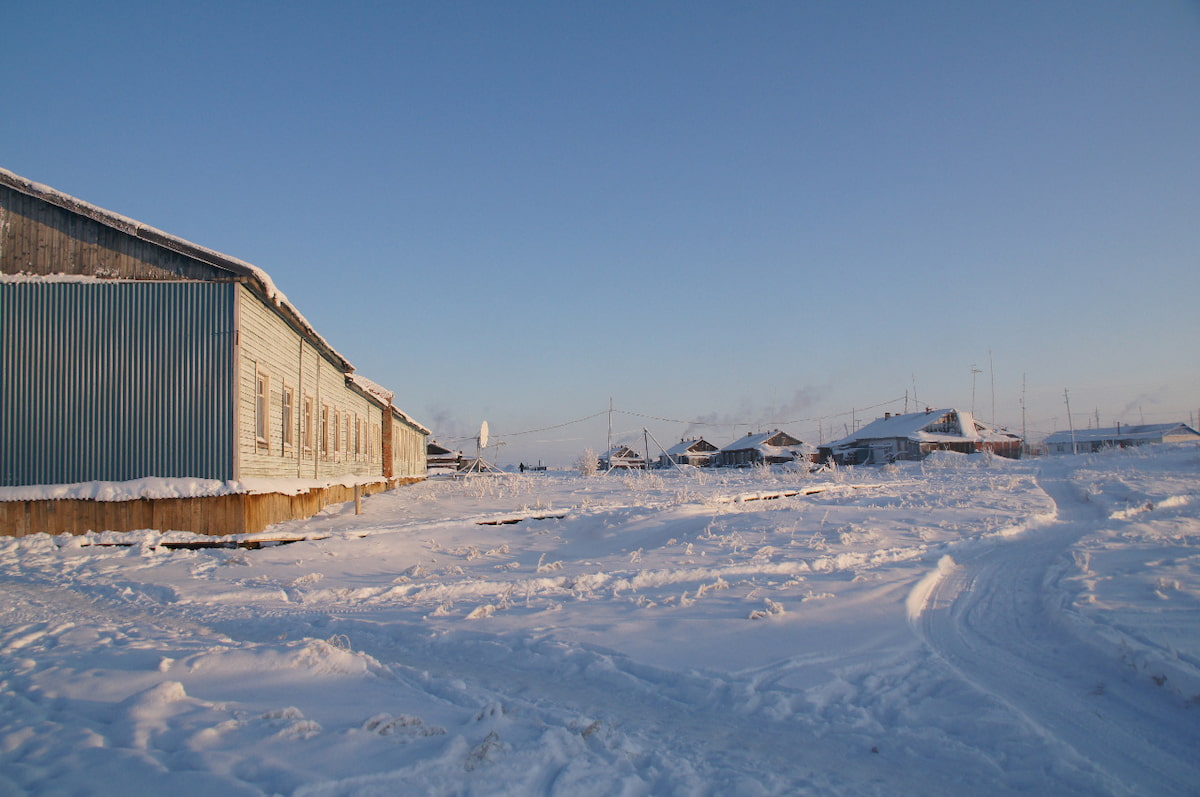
pixel 130 353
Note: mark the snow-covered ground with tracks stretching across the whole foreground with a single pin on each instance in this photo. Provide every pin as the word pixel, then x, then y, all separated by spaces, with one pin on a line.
pixel 965 626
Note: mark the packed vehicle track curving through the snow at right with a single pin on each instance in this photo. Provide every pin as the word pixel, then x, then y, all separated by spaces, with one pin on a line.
pixel 999 624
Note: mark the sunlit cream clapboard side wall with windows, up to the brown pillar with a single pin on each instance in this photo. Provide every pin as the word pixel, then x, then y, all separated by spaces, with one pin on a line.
pixel 344 434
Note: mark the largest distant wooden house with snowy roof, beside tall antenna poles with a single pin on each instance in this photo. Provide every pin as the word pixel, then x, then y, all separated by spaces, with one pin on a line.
pixel 913 436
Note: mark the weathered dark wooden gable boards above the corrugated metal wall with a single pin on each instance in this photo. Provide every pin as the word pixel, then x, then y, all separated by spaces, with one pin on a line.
pixel 40 238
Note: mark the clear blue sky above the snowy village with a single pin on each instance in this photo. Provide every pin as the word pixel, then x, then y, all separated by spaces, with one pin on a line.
pixel 746 214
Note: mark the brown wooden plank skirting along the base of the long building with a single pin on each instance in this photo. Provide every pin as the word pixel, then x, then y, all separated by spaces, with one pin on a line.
pixel 235 514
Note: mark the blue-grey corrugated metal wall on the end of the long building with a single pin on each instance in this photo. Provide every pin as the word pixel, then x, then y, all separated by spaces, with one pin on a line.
pixel 115 381
